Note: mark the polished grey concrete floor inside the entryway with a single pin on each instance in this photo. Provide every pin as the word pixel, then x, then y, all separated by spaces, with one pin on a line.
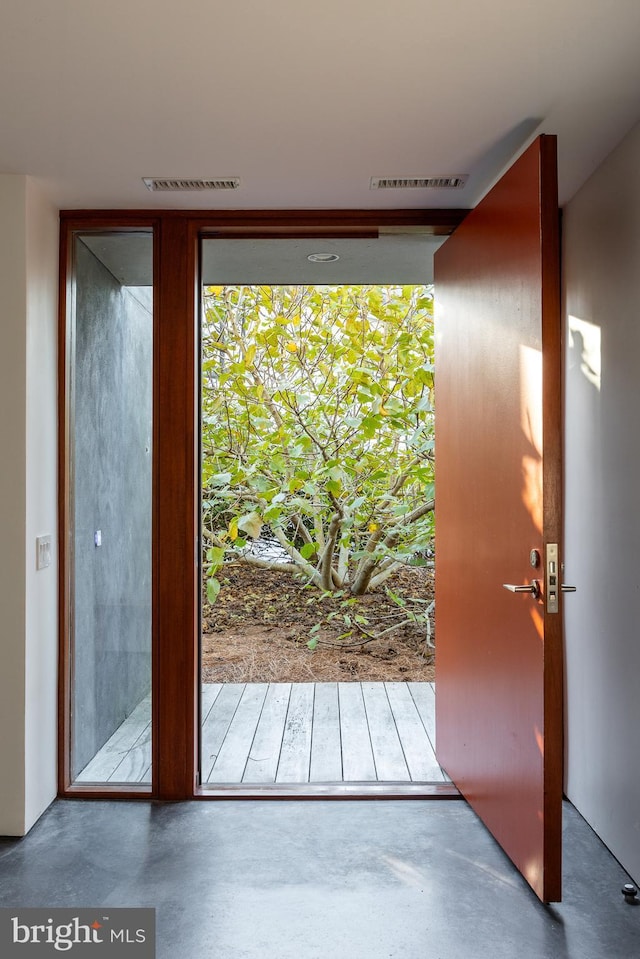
pixel 320 880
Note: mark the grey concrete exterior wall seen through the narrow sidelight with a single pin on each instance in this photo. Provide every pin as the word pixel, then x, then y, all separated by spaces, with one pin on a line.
pixel 112 493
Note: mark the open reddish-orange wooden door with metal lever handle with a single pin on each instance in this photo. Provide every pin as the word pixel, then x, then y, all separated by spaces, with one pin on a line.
pixel 498 498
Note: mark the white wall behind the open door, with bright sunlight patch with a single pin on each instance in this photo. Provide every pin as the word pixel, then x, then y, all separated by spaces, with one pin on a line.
pixel 602 550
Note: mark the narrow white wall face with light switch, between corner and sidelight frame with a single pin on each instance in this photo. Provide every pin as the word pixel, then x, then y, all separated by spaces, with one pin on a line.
pixel 42 503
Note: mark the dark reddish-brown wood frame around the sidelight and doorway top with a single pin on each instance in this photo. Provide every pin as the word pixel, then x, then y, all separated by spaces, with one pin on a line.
pixel 175 578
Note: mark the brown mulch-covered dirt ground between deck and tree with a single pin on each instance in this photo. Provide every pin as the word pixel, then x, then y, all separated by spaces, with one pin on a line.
pixel 259 626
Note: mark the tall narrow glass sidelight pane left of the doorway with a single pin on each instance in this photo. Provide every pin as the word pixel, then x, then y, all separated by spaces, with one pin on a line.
pixel 110 434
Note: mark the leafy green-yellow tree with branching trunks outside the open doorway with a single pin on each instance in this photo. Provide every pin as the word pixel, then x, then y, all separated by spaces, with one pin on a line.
pixel 317 422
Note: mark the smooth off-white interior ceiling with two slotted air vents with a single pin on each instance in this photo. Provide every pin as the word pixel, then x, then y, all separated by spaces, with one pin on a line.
pixel 306 101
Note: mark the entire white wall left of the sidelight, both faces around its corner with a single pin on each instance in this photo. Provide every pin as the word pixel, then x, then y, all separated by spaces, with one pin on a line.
pixel 28 644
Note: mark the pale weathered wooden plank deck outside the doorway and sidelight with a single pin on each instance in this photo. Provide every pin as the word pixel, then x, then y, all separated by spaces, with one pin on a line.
pixel 293 733
